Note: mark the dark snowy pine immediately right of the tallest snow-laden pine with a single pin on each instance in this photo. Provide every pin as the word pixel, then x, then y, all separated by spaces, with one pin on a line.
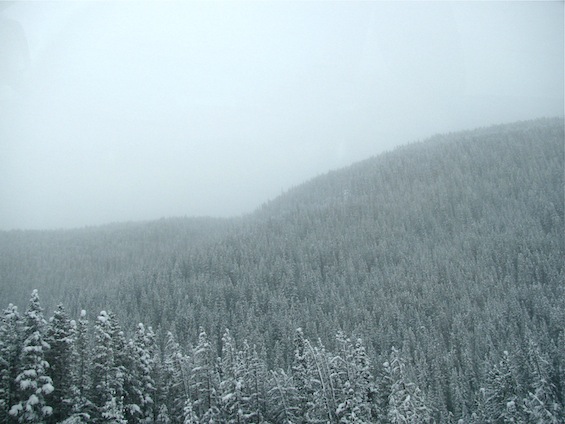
pixel 60 337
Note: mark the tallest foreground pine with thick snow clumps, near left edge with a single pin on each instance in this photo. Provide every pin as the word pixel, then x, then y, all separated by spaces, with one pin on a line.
pixel 33 382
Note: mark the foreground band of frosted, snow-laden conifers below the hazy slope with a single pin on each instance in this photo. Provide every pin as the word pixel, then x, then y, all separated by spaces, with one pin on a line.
pixel 69 371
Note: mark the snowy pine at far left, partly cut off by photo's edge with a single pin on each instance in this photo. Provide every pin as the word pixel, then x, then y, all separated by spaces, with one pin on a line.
pixel 10 351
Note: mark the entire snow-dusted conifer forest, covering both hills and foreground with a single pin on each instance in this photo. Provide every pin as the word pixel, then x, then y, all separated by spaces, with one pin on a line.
pixel 422 285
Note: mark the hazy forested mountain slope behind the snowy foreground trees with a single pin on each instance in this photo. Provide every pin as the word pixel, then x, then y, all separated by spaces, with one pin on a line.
pixel 451 250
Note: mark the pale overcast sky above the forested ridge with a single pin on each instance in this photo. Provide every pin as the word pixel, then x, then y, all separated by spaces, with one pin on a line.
pixel 119 111
